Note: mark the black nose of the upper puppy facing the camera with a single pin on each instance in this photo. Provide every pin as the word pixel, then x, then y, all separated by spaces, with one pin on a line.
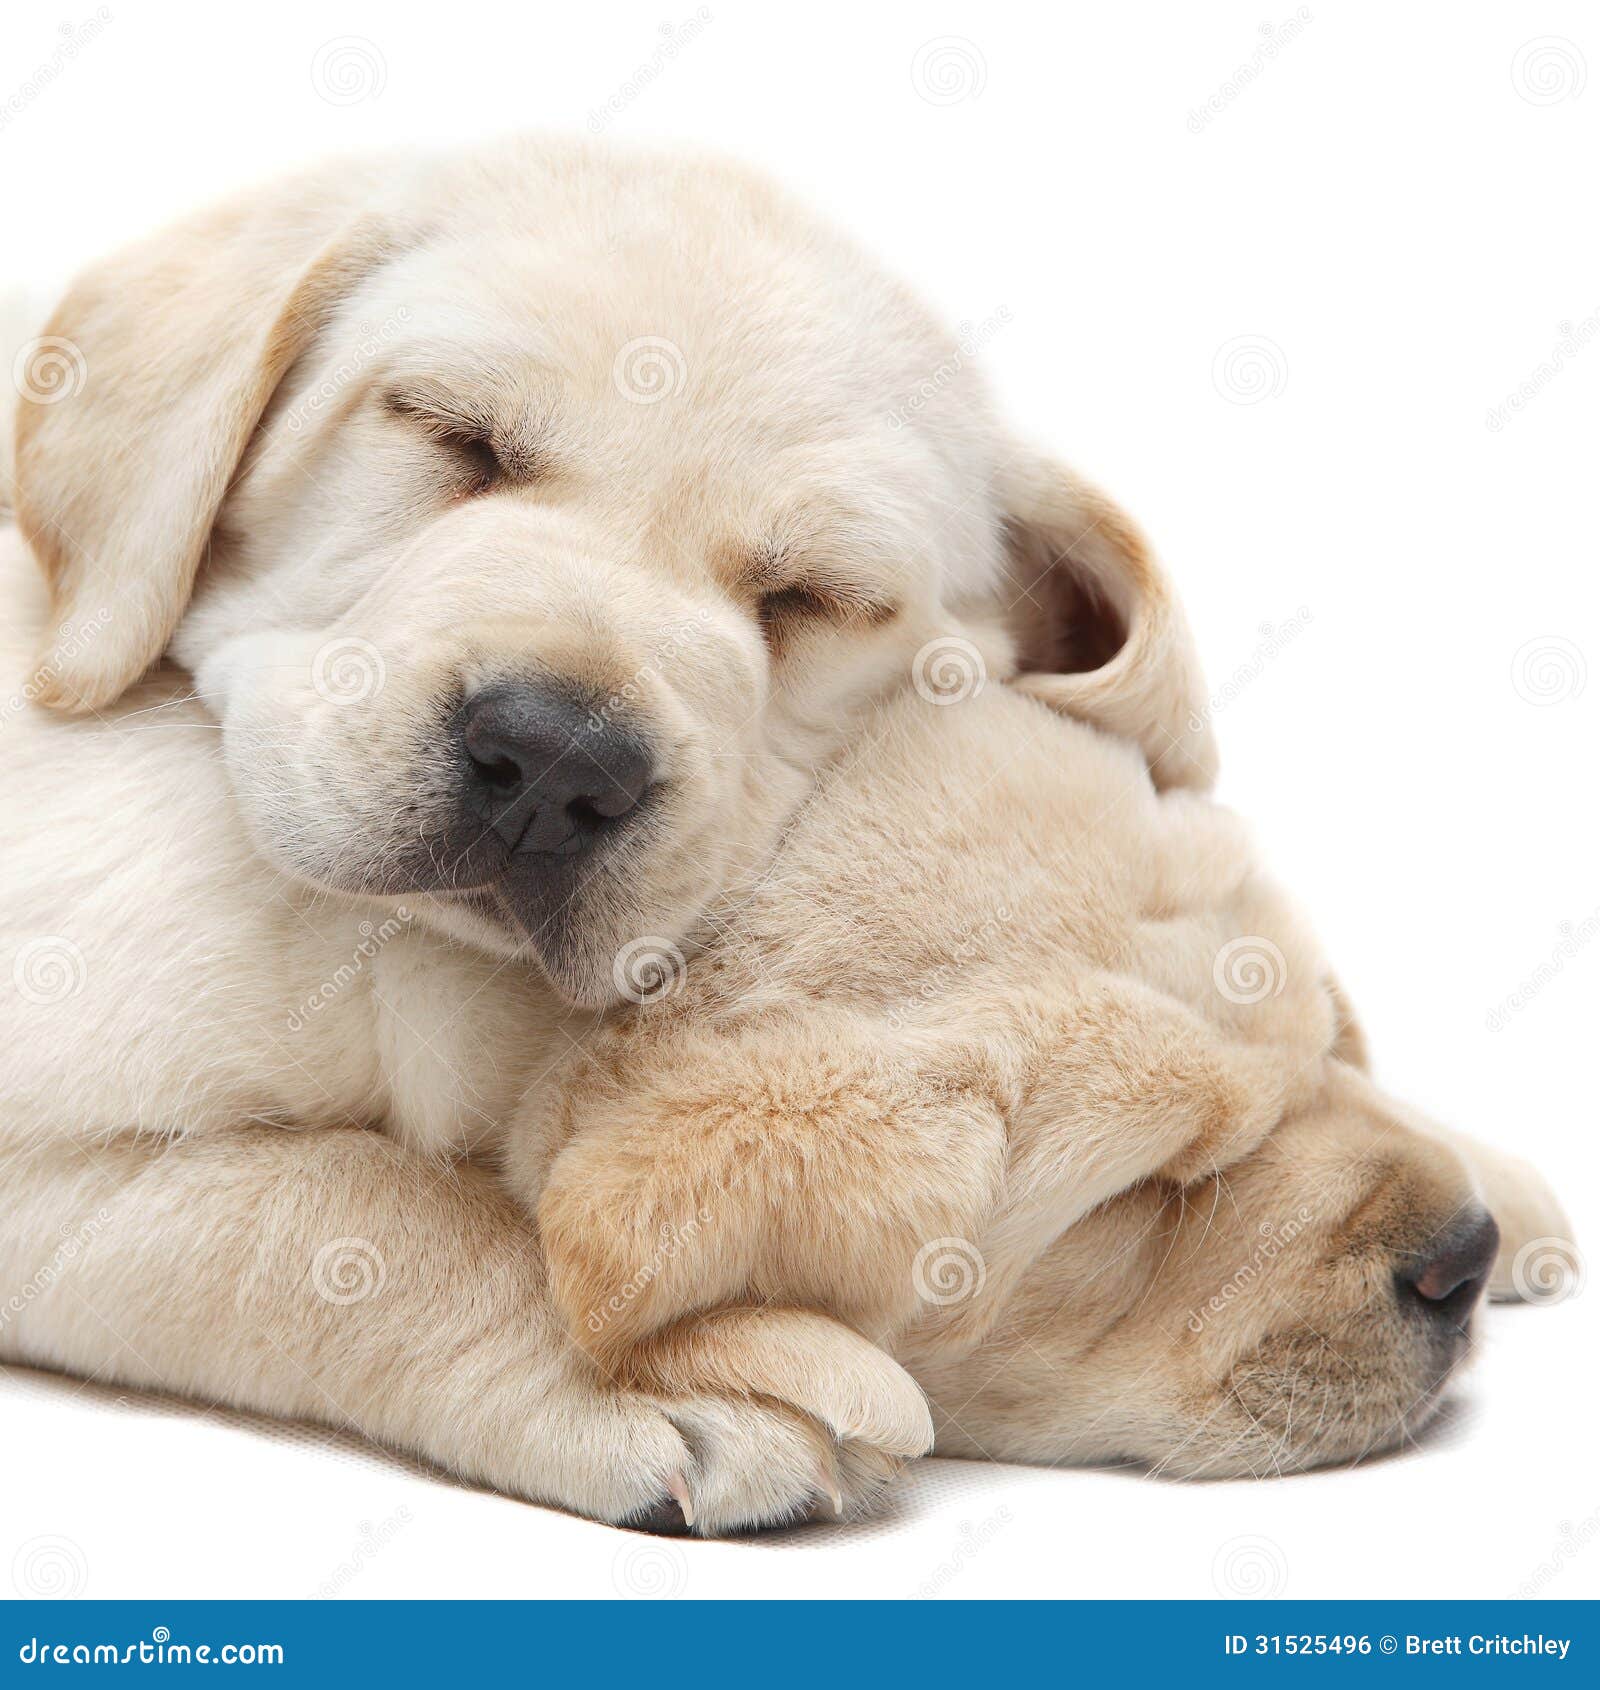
pixel 547 775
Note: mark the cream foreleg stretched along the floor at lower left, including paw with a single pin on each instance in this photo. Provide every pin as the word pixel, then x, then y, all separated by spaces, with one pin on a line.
pixel 334 1277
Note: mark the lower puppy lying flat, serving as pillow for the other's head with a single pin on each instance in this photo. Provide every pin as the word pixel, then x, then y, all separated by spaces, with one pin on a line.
pixel 195 1199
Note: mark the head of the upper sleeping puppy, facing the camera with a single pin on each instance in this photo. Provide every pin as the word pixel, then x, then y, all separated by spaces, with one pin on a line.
pixel 536 525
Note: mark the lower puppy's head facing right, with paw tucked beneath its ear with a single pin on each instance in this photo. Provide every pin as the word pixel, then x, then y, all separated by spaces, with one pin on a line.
pixel 998 1005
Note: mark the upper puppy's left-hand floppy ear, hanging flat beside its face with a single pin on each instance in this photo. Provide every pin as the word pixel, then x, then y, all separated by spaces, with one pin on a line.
pixel 177 347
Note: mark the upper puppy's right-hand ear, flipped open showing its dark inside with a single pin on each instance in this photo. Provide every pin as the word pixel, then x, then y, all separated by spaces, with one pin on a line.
pixel 1099 631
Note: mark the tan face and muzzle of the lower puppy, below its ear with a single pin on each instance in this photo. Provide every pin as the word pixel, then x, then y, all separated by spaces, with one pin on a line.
pixel 1307 1306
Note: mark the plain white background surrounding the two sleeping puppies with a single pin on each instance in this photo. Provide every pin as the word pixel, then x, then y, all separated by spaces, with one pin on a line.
pixel 1276 315
